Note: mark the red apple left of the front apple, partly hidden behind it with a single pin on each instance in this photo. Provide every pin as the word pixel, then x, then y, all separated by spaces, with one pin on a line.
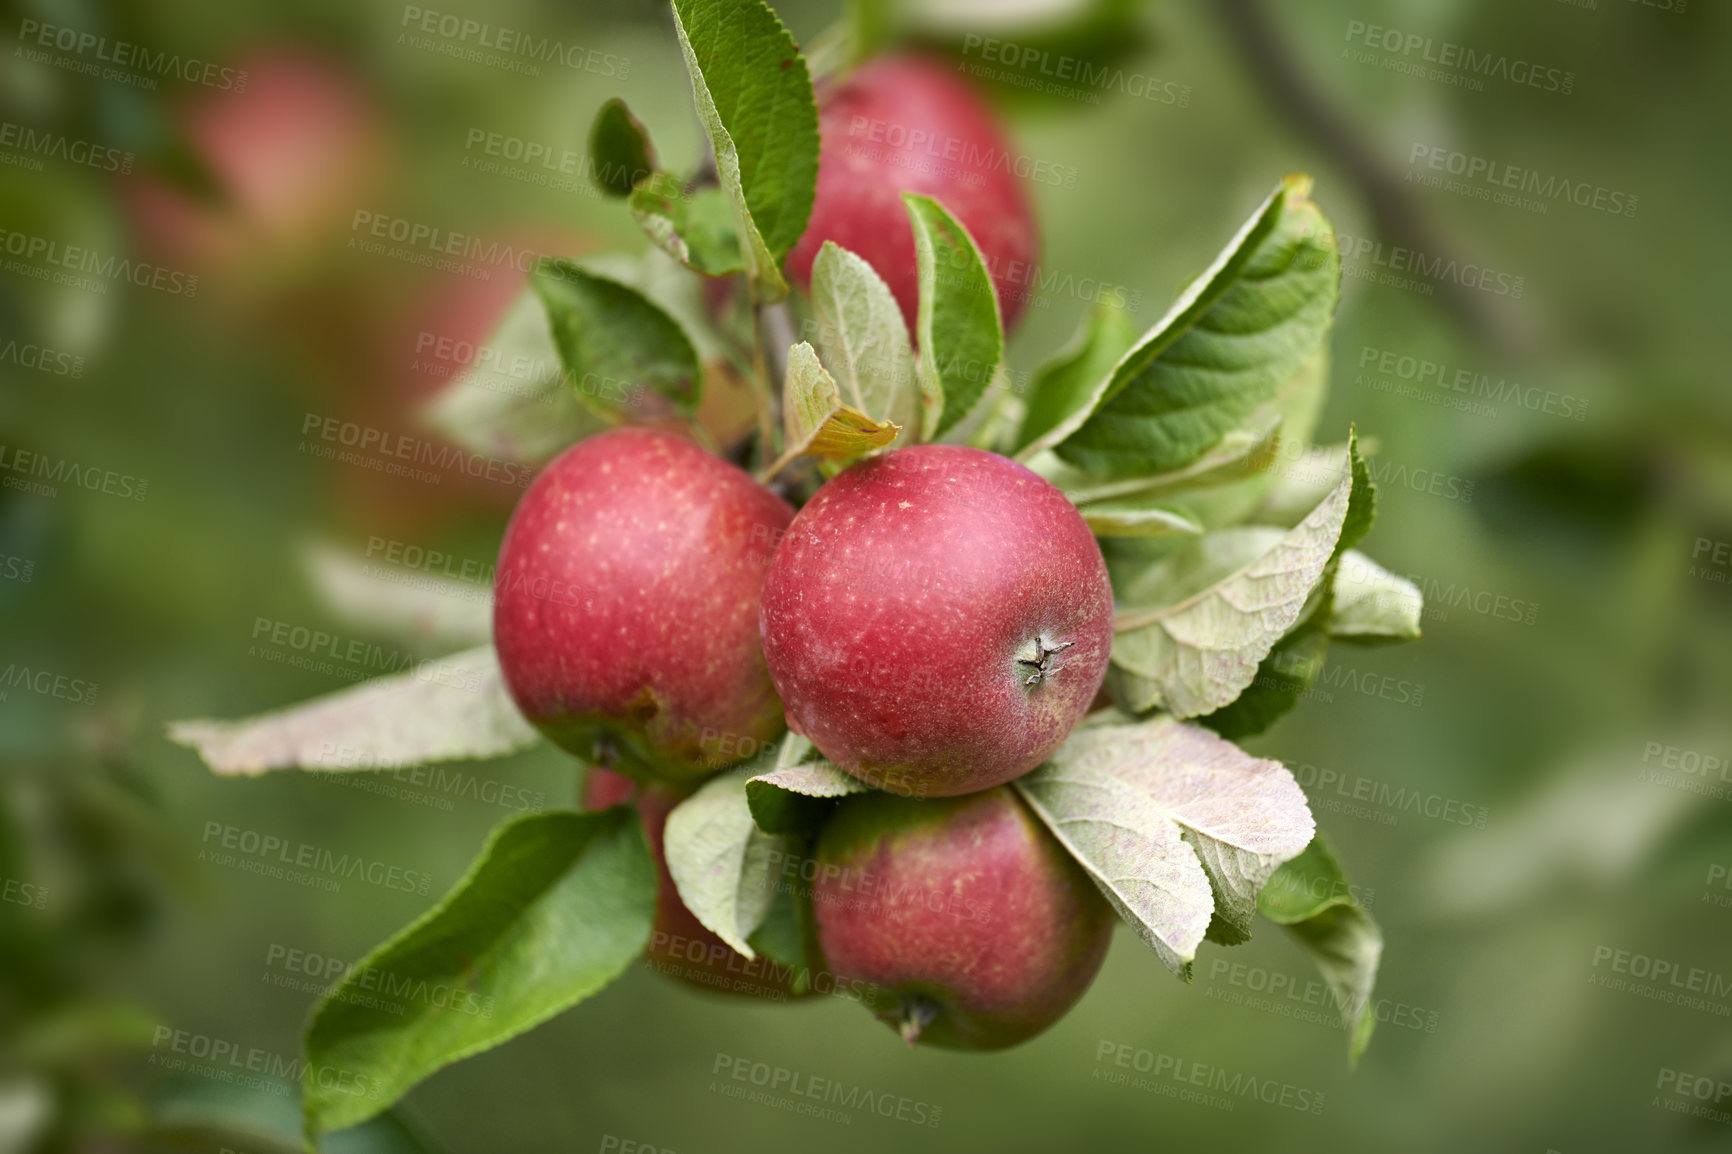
pixel 626 606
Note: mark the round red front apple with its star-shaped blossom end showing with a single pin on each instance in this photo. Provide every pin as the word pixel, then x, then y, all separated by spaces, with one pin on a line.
pixel 896 607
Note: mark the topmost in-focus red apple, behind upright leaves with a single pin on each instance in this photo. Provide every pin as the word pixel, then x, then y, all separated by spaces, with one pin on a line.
pixel 912 124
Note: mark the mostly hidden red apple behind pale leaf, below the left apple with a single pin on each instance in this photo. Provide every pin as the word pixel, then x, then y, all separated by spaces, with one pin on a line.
pixel 680 945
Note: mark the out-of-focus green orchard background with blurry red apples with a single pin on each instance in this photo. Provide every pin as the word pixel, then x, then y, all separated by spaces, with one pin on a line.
pixel 1497 1037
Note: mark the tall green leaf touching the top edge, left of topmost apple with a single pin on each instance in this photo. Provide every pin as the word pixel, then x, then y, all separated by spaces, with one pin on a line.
pixel 756 103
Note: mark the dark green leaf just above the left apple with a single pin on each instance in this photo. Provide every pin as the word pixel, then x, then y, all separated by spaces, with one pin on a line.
pixel 614 340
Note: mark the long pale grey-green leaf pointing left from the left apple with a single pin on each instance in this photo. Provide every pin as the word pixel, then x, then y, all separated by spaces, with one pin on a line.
pixel 446 710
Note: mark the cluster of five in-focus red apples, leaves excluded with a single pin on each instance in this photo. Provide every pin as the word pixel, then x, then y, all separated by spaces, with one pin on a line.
pixel 934 621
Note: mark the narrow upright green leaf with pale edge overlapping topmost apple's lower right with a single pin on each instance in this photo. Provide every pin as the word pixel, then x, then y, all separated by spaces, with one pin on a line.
pixel 960 335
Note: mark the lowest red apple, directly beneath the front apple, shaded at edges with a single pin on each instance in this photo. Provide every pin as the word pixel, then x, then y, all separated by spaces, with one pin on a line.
pixel 967 902
